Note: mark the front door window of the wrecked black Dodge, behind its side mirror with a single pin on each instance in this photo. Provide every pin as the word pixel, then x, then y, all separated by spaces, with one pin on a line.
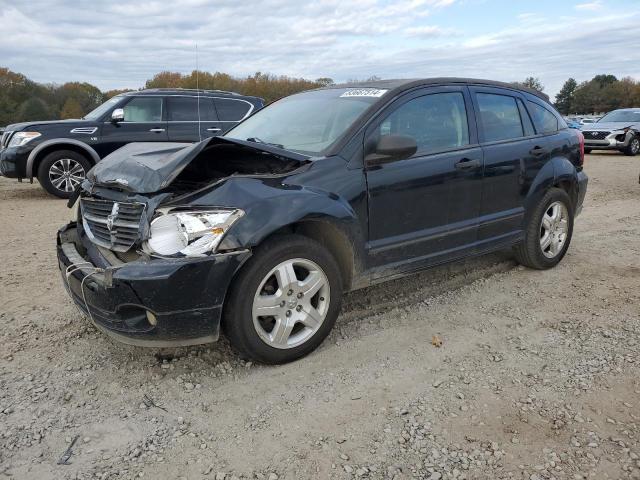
pixel 437 122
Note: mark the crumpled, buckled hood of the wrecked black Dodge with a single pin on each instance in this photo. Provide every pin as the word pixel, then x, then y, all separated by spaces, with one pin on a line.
pixel 151 166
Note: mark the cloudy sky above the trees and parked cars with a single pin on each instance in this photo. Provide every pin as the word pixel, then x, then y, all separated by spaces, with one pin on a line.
pixel 116 44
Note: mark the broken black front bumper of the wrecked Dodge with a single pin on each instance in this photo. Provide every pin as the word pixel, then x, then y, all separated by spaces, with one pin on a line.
pixel 153 303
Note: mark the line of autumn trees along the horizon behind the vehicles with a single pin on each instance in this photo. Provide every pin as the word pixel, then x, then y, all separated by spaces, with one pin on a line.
pixel 24 100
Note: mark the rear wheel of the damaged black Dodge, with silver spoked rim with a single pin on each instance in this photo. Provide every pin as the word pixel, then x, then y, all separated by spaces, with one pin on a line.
pixel 531 252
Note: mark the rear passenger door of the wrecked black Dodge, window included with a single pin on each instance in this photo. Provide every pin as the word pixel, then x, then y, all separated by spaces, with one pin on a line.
pixel 510 161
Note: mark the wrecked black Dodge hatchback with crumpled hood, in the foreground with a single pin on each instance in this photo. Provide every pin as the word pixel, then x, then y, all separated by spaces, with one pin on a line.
pixel 259 232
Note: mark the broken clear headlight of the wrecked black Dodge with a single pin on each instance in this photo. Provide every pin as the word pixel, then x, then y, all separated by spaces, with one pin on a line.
pixel 189 233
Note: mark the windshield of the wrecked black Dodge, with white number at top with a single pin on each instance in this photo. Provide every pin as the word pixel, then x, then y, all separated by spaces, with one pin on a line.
pixel 308 122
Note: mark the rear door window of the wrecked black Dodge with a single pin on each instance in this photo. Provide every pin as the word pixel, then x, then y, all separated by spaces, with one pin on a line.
pixel 499 117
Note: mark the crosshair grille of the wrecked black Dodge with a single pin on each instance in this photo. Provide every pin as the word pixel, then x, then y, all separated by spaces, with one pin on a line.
pixel 113 225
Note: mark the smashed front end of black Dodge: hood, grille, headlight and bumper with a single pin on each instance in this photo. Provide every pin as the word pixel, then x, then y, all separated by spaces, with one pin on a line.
pixel 146 259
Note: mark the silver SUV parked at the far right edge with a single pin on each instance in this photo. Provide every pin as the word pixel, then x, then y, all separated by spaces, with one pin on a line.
pixel 617 130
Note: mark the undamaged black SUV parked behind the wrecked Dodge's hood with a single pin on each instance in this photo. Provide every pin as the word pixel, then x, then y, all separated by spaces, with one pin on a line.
pixel 59 153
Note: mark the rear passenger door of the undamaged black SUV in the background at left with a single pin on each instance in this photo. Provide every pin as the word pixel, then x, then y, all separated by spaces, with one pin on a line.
pixel 188 123
